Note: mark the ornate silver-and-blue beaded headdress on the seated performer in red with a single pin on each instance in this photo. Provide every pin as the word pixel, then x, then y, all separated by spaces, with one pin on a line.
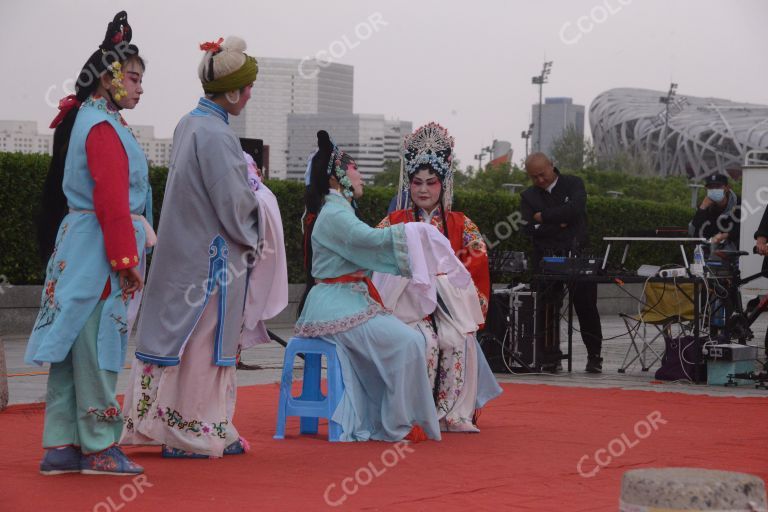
pixel 431 146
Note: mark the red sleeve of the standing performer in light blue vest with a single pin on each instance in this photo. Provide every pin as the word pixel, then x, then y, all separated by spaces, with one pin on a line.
pixel 108 165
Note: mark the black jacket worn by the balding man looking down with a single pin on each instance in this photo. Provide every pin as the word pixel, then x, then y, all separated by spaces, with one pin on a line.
pixel 566 204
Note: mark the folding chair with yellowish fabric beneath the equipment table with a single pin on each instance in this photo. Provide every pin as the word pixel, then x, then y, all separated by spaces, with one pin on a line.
pixel 664 305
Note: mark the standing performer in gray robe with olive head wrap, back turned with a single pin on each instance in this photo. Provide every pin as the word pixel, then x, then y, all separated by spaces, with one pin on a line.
pixel 182 390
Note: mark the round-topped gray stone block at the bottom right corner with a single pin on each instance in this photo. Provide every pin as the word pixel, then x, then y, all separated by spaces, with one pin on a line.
pixel 691 489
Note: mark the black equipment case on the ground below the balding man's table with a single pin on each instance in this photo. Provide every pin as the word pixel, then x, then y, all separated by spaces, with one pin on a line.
pixel 518 330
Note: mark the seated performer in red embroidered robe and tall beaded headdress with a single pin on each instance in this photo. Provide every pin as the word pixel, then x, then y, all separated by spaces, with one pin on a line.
pixel 455 364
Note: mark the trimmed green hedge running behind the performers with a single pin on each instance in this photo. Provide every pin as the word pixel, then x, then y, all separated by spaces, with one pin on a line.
pixel 22 177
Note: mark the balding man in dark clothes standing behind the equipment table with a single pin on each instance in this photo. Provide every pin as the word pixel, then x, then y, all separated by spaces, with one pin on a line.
pixel 555 211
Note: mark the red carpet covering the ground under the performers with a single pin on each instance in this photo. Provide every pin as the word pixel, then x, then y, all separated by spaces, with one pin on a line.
pixel 526 458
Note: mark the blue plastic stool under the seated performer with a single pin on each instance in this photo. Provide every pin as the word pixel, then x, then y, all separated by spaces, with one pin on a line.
pixel 312 404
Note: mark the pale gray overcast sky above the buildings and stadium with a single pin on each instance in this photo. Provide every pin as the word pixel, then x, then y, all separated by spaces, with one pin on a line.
pixel 465 64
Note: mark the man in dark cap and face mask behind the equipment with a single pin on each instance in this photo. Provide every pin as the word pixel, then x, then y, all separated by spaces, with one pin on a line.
pixel 718 216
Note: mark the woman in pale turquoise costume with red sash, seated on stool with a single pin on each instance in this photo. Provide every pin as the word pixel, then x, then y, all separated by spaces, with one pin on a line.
pixel 386 392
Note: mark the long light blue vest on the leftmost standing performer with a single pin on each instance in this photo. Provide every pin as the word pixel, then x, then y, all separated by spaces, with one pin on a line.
pixel 78 268
